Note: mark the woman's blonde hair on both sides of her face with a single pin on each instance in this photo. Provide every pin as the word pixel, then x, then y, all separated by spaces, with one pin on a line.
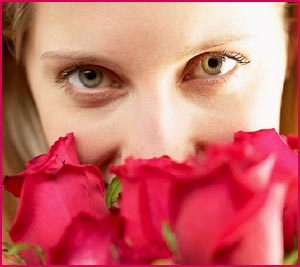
pixel 23 136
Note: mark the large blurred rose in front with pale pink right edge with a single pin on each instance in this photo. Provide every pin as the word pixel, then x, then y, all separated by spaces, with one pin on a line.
pixel 227 214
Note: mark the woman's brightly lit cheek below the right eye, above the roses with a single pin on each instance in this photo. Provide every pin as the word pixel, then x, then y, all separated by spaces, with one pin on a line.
pixel 255 106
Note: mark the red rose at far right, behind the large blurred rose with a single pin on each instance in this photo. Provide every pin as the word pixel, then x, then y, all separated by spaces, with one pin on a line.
pixel 286 167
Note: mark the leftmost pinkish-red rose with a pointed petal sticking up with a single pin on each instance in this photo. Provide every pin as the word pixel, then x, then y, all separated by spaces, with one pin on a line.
pixel 54 189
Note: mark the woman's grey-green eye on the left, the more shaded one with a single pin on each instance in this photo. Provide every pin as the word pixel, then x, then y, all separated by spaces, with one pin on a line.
pixel 89 78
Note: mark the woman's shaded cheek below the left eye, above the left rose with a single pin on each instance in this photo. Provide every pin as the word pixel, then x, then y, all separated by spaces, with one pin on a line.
pixel 97 135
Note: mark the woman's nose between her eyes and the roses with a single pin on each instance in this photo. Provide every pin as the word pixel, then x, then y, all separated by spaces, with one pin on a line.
pixel 159 123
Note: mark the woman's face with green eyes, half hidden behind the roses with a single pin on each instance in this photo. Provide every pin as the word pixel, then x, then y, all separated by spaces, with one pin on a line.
pixel 148 79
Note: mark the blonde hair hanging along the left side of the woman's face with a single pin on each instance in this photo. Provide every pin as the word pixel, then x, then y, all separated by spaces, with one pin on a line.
pixel 22 134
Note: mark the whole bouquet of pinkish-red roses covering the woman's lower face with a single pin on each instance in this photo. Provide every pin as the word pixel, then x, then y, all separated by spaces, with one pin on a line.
pixel 235 204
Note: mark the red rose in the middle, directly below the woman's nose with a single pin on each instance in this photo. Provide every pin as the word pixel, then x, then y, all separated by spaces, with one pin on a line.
pixel 145 206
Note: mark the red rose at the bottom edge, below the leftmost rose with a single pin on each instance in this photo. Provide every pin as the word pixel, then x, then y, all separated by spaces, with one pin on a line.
pixel 89 241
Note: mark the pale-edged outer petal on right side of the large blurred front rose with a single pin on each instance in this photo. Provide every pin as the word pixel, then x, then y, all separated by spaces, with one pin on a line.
pixel 258 239
